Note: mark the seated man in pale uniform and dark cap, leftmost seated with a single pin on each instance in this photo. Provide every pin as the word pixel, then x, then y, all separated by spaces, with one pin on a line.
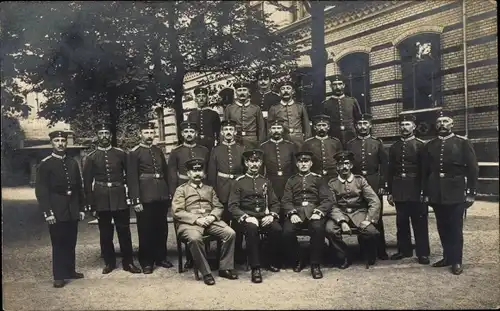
pixel 198 210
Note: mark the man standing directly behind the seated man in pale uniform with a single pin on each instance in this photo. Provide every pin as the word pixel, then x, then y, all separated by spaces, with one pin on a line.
pixel 188 150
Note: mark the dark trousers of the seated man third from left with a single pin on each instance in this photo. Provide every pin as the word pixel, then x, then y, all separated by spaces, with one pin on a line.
pixel 316 230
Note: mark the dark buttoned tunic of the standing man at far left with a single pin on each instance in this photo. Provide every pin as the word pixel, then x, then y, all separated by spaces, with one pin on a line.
pixel 59 188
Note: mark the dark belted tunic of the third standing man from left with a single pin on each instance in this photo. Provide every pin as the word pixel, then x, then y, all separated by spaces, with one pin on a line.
pixel 147 174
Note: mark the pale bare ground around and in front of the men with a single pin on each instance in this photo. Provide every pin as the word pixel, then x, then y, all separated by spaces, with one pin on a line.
pixel 404 284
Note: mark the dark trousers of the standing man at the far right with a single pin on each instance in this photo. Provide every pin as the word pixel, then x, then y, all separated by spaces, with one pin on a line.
pixel 450 223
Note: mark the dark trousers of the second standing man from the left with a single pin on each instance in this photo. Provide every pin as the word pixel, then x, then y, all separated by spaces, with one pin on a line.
pixel 106 231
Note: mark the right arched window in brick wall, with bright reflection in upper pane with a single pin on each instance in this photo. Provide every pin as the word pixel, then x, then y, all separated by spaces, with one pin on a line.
pixel 420 64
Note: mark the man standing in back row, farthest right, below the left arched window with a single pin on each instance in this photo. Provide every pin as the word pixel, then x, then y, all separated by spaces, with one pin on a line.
pixel 343 110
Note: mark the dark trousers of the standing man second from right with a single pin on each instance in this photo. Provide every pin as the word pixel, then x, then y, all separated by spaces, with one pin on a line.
pixel 417 213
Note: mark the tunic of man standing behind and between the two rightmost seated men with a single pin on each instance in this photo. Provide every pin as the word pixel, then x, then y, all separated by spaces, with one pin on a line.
pixel 323 149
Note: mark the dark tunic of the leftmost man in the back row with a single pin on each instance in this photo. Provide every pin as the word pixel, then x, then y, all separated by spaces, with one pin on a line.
pixel 208 123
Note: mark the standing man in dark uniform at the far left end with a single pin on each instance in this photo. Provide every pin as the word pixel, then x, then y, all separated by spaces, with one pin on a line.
pixel 59 193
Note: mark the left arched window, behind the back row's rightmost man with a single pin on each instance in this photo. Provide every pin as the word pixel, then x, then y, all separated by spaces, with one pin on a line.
pixel 355 69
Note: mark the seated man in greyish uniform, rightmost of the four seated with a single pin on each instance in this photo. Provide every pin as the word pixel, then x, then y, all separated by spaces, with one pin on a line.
pixel 358 206
